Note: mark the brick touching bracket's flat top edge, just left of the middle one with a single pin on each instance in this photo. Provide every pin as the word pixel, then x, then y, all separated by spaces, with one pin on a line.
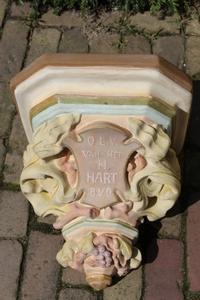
pixel 73 41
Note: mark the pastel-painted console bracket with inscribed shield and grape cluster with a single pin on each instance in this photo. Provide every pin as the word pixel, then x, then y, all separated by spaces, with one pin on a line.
pixel 103 136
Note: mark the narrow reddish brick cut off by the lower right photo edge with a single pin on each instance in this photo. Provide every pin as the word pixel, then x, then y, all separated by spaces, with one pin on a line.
pixel 193 246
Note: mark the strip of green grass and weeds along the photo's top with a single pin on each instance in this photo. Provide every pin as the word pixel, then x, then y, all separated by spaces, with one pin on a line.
pixel 159 7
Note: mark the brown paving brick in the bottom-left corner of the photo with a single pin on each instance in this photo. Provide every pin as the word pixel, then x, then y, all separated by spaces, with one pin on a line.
pixel 10 261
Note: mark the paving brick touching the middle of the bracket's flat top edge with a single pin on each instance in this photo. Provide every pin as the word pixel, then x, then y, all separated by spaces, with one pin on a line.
pixel 104 43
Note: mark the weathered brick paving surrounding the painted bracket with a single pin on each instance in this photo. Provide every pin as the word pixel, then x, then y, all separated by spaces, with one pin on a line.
pixel 28 245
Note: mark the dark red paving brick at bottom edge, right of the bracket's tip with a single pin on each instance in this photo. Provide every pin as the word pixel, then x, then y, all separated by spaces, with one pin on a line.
pixel 163 277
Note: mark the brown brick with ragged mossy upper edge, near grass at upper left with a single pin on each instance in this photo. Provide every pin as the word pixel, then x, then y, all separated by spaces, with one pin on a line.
pixel 69 19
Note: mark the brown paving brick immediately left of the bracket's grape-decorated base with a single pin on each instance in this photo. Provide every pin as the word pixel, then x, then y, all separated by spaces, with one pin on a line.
pixel 42 269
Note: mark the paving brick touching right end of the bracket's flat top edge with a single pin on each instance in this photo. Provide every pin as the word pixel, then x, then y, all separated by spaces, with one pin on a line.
pixel 136 45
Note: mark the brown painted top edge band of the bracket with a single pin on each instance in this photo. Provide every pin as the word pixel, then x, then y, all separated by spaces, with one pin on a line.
pixel 117 60
